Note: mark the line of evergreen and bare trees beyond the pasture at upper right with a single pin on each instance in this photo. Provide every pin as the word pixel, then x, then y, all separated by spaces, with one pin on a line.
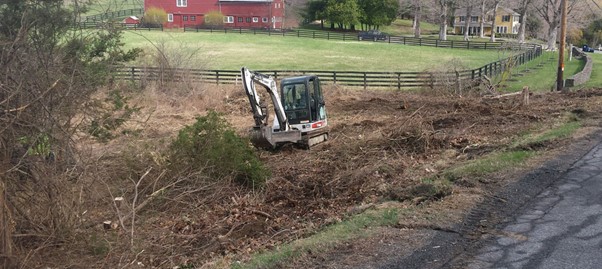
pixel 537 18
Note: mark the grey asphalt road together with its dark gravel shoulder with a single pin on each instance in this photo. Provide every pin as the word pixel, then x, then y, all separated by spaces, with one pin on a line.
pixel 549 218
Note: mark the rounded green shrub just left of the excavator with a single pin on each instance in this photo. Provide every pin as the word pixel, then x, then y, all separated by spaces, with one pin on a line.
pixel 212 142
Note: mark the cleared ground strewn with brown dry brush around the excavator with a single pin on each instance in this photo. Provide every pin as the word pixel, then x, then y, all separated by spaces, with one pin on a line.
pixel 382 145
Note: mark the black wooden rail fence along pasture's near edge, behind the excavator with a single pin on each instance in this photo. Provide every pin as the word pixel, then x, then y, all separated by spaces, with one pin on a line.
pixel 397 80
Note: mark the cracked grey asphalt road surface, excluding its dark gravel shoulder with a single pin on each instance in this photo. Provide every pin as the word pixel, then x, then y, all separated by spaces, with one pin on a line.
pixel 560 228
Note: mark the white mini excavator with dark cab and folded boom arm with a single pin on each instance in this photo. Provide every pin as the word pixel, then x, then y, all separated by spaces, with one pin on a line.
pixel 299 107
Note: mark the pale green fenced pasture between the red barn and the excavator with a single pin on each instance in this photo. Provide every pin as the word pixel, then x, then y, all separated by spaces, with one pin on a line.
pixel 231 51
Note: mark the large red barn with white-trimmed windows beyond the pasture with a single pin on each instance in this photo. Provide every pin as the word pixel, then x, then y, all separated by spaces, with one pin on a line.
pixel 237 13
